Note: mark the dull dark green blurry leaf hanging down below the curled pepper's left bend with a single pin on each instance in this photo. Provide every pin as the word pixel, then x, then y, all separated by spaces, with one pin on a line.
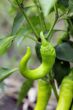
pixel 24 89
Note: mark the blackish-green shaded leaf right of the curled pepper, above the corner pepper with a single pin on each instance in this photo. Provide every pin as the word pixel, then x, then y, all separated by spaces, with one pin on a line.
pixel 60 69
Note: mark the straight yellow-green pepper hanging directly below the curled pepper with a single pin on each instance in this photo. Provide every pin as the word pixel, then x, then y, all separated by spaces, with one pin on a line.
pixel 44 92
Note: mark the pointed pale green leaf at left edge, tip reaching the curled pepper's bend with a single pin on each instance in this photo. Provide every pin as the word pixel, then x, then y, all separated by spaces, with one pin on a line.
pixel 5 72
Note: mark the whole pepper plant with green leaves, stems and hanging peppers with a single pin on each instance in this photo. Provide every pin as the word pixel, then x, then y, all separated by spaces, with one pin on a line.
pixel 38 20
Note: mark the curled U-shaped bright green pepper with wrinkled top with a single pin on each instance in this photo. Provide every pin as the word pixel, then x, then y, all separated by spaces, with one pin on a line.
pixel 48 55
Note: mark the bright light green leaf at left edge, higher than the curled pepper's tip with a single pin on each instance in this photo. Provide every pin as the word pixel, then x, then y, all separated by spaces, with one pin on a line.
pixel 5 43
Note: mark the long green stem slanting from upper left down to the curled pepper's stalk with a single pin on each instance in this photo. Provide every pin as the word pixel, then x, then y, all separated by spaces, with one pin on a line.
pixel 28 20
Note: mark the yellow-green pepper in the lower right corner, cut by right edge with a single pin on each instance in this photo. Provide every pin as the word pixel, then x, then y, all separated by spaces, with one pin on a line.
pixel 66 93
